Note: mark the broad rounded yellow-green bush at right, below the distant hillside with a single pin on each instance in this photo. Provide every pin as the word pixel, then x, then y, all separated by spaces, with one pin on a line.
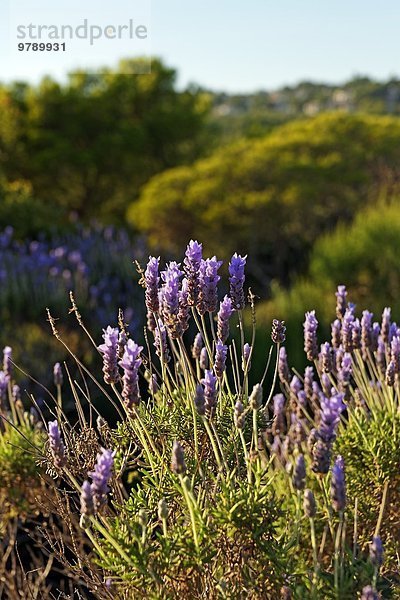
pixel 273 197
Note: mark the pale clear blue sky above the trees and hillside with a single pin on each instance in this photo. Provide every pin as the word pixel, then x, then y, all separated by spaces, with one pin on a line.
pixel 230 45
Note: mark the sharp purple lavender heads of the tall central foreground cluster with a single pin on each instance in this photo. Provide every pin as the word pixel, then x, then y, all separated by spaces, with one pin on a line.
pixel 173 296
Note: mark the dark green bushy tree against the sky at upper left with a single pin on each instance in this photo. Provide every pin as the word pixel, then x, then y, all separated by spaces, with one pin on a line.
pixel 89 144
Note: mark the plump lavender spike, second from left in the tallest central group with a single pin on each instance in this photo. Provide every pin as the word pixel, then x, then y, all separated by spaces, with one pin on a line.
pixel 169 299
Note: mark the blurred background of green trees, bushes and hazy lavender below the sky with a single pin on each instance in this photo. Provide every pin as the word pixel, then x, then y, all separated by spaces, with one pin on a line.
pixel 103 169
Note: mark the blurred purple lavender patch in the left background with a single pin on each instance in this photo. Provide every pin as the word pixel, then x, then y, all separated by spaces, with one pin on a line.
pixel 88 262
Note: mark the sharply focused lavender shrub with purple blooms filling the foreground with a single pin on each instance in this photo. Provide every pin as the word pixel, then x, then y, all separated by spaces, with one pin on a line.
pixel 211 485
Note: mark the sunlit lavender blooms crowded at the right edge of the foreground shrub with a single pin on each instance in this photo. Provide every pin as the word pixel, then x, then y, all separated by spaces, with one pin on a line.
pixel 309 408
